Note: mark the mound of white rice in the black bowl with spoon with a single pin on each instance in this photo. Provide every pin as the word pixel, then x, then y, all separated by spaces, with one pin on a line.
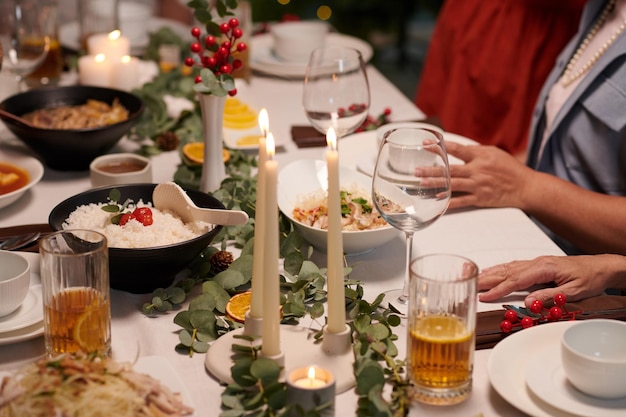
pixel 166 229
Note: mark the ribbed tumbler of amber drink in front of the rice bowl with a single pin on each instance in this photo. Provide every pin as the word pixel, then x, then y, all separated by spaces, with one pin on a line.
pixel 76 296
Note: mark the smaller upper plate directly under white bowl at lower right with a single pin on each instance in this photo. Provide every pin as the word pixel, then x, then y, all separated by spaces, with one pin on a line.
pixel 546 379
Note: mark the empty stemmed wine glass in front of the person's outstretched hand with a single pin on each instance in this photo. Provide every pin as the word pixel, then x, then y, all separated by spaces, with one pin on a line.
pixel 410 189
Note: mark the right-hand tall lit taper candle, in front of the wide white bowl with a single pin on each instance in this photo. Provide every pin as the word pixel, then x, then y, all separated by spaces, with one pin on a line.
pixel 334 254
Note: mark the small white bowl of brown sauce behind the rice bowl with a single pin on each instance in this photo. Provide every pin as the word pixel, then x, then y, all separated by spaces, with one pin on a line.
pixel 120 168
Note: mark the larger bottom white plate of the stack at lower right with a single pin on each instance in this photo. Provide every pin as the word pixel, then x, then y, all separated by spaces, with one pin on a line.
pixel 511 357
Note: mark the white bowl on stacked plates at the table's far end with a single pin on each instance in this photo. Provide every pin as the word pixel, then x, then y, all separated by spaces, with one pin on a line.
pixel 294 41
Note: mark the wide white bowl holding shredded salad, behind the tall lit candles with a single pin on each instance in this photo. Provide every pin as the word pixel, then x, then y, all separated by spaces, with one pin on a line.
pixel 305 177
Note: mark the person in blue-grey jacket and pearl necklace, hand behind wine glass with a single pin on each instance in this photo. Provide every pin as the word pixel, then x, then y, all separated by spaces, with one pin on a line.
pixel 574 182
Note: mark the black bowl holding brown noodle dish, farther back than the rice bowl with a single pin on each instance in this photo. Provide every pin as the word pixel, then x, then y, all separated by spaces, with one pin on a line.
pixel 69 150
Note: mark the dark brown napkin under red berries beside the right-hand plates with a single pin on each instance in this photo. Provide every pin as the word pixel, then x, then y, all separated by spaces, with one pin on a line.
pixel 488 332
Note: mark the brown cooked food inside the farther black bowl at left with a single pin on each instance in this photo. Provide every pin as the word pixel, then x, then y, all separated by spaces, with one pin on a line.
pixel 94 113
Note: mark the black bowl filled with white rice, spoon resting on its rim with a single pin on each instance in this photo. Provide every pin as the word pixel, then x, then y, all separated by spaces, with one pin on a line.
pixel 141 258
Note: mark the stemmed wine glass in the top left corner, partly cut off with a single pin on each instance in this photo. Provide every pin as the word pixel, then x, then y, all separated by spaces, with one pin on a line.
pixel 23 37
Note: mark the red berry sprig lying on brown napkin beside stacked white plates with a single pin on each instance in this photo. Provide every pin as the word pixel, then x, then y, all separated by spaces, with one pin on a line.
pixel 514 319
